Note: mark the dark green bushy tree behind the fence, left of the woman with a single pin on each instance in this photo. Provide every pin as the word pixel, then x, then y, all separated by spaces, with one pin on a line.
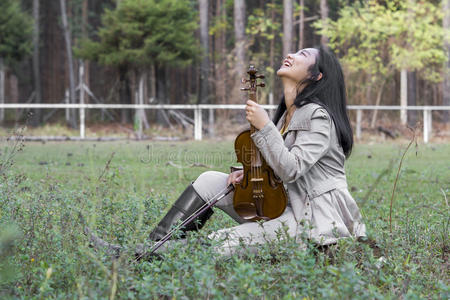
pixel 140 34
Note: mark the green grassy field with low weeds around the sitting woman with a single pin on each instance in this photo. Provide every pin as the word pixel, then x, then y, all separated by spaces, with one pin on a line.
pixel 45 255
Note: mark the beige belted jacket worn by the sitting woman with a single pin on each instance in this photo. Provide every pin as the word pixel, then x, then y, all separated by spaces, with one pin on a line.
pixel 310 162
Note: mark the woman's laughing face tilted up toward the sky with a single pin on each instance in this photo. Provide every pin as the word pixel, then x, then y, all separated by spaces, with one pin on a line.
pixel 295 66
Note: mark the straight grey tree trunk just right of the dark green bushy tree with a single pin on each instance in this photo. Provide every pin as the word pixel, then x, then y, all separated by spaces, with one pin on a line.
pixel 204 65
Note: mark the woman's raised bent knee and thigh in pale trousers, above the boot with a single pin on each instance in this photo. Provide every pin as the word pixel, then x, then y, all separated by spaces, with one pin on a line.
pixel 208 184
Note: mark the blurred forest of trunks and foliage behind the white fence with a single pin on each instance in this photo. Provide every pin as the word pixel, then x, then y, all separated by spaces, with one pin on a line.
pixel 188 52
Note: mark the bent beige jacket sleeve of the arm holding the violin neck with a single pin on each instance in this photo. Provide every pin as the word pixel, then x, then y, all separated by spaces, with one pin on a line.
pixel 309 146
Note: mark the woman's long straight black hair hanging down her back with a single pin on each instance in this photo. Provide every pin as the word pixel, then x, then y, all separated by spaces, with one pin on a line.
pixel 329 92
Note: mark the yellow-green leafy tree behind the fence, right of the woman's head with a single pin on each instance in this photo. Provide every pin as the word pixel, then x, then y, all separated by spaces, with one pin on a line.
pixel 381 39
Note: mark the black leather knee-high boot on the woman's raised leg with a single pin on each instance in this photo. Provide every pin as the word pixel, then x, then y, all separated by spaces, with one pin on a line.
pixel 186 204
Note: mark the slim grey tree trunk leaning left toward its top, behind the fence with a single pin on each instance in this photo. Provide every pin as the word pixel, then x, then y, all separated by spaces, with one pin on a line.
pixel 67 38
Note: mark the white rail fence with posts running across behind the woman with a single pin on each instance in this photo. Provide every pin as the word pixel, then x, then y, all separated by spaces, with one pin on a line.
pixel 427 110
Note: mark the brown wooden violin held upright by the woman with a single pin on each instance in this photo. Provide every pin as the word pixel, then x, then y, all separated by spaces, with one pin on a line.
pixel 260 195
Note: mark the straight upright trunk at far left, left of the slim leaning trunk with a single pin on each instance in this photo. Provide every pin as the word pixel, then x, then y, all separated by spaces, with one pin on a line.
pixel 37 113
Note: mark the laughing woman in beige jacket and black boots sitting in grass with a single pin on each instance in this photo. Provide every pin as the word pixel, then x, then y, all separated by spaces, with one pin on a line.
pixel 306 145
